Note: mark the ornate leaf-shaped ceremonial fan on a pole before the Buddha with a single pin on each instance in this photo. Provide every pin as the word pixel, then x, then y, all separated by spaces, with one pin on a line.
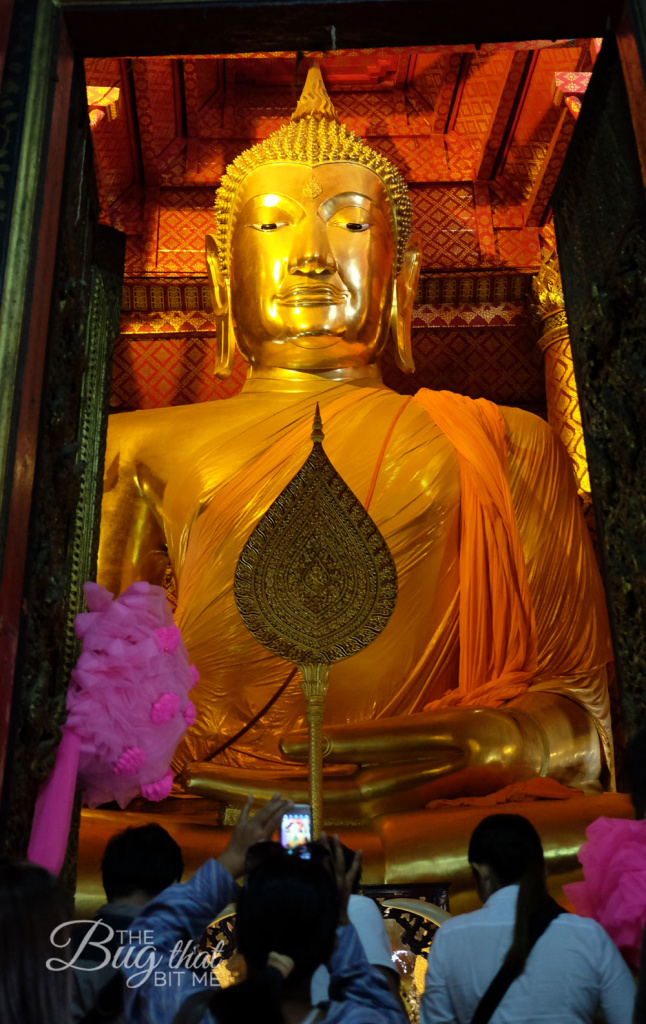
pixel 316 583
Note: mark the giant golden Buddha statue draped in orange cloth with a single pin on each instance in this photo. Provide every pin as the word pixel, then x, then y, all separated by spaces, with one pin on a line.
pixel 493 668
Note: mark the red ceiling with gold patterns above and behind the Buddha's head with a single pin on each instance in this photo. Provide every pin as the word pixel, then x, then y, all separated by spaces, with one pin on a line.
pixel 480 135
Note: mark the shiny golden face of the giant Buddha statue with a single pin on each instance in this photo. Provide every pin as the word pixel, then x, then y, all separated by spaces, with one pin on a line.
pixel 312 262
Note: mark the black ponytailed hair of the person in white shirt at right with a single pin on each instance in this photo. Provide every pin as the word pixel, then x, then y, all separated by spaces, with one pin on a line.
pixel 511 846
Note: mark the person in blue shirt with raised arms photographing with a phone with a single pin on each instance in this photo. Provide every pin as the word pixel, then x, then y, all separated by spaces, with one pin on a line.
pixel 292 916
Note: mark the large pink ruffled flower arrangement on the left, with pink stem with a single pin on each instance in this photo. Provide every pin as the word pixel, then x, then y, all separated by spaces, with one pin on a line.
pixel 128 708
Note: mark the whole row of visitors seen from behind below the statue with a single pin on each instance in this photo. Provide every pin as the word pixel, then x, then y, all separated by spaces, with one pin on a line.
pixel 316 951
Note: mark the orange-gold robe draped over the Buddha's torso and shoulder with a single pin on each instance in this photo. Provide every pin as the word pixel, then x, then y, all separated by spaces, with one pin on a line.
pixel 392 453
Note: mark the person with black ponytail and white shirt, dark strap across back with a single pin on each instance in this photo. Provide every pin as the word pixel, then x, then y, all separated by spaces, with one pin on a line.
pixel 559 968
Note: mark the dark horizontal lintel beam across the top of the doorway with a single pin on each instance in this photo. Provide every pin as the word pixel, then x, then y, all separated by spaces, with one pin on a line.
pixel 156 28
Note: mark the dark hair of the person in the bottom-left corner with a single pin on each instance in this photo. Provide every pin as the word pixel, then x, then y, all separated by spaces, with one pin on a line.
pixel 32 906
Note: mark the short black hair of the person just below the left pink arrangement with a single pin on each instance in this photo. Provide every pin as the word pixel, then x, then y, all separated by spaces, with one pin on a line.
pixel 146 859
